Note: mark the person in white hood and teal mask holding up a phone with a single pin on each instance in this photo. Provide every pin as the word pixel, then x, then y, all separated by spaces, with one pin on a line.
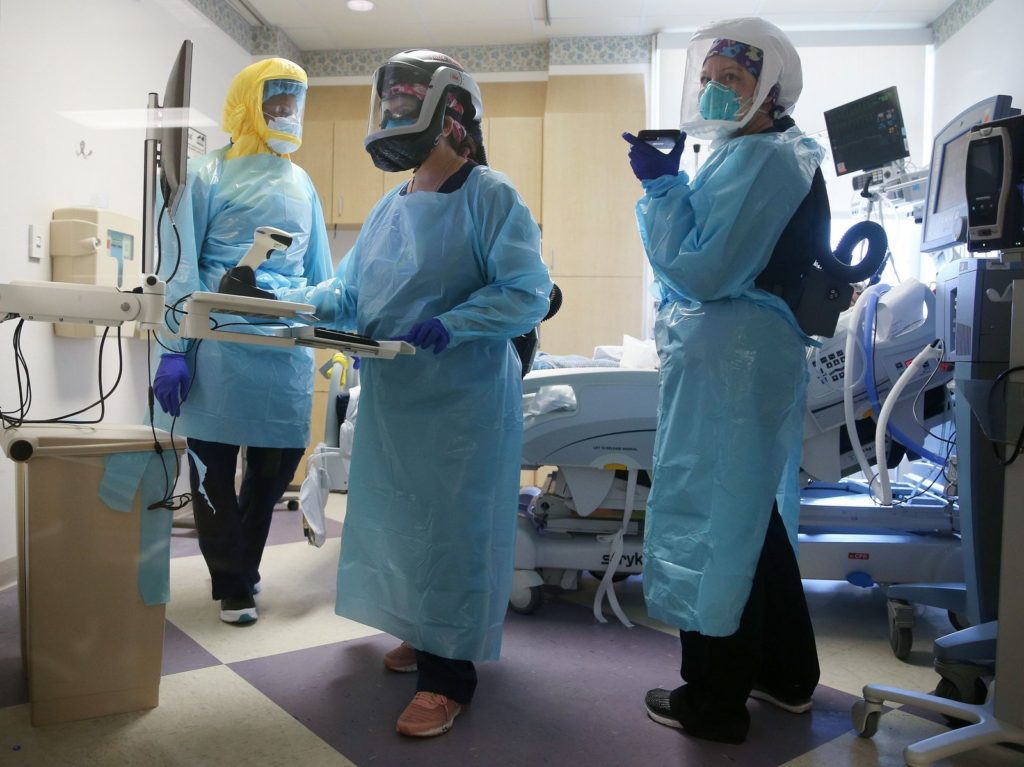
pixel 720 538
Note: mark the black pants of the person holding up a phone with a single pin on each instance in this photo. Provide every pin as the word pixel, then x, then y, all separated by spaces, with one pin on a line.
pixel 773 650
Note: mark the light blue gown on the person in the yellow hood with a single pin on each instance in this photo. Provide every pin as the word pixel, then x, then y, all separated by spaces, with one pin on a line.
pixel 248 395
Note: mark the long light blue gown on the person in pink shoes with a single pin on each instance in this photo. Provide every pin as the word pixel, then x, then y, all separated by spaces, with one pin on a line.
pixel 430 534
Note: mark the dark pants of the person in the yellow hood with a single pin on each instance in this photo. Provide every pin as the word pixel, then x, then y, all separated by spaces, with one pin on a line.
pixel 233 534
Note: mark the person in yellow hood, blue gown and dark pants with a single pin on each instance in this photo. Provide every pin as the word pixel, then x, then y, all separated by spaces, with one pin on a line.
pixel 226 395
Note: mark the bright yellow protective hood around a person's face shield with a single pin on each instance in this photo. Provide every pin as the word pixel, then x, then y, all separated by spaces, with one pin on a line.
pixel 243 118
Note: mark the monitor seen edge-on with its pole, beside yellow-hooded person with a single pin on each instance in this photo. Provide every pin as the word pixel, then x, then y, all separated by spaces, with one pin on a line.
pixel 166 148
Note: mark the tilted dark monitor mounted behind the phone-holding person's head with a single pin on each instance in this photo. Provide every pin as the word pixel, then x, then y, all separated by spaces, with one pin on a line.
pixel 868 134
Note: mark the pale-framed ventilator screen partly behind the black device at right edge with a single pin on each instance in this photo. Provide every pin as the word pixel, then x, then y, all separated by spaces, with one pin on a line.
pixel 946 219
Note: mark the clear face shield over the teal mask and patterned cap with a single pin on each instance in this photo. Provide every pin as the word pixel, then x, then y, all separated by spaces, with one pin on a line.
pixel 726 84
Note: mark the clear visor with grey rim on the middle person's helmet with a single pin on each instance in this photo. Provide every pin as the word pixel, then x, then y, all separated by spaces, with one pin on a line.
pixel 405 102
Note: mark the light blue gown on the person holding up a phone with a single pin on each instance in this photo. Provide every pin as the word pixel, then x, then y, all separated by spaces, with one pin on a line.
pixel 734 377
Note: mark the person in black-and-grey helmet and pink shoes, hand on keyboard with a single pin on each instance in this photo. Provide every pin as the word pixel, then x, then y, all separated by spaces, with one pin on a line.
pixel 451 263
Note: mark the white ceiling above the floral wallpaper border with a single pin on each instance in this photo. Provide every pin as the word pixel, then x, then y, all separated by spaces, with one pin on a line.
pixel 329 25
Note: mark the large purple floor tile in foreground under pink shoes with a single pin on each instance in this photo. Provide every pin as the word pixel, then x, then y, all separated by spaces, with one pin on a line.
pixel 567 692
